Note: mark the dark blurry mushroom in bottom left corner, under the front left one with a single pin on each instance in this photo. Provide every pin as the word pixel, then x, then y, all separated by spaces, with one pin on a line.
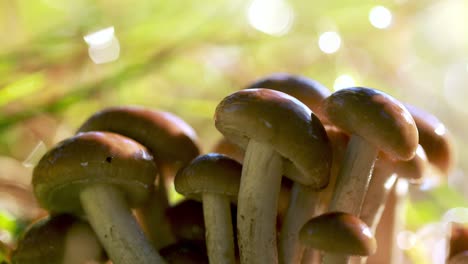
pixel 58 239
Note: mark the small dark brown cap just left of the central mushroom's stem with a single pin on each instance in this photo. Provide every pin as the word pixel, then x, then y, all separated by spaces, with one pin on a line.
pixel 209 173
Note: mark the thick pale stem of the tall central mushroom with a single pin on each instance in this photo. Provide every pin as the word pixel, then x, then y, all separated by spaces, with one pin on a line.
pixel 257 204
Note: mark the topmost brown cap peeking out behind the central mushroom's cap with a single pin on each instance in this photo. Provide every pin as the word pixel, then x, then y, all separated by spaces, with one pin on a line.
pixel 308 91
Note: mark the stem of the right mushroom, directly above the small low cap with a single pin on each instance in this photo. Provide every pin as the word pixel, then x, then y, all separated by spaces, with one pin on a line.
pixel 354 176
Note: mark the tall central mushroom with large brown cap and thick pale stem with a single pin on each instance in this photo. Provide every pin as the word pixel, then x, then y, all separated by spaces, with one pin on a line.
pixel 280 135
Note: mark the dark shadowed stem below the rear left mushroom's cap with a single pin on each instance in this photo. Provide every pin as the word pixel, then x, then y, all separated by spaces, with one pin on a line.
pixel 152 213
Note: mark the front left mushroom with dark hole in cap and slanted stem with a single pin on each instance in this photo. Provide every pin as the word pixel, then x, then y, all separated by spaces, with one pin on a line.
pixel 101 175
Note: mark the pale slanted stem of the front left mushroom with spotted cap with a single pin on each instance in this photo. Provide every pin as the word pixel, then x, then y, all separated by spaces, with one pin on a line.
pixel 118 231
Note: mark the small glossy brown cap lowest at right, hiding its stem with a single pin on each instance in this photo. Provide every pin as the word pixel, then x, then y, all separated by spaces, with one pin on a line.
pixel 338 232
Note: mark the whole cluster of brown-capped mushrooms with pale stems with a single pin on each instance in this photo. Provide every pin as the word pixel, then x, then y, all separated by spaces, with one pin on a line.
pixel 340 154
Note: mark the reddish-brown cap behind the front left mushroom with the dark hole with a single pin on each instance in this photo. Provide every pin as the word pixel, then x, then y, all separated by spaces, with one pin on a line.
pixel 168 137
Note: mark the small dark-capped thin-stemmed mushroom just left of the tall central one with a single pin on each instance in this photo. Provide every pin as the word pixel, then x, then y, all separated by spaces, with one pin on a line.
pixel 215 179
